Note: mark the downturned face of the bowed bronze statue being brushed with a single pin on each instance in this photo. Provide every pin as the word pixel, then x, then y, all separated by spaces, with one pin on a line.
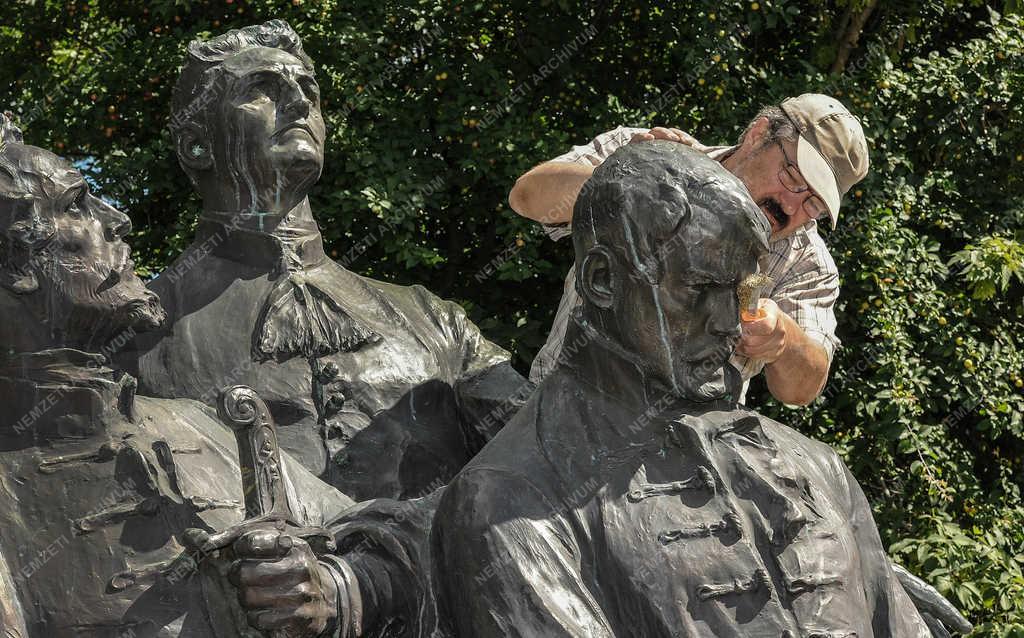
pixel 687 327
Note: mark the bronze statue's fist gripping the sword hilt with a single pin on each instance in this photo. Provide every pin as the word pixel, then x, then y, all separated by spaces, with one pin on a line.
pixel 282 586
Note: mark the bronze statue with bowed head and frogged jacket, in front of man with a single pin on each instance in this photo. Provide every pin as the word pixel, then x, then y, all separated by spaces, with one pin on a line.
pixel 631 496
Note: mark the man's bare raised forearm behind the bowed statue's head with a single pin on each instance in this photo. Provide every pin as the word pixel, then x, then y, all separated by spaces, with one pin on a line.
pixel 548 192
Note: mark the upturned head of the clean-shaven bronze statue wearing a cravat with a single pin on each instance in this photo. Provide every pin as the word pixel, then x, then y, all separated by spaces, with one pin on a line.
pixel 247 122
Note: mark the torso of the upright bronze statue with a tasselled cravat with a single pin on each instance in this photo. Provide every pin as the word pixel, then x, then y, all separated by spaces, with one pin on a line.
pixel 405 409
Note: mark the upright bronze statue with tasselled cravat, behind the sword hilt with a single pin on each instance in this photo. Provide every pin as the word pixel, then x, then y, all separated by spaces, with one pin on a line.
pixel 383 391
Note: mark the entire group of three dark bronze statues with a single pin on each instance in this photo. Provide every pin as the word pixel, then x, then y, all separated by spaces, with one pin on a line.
pixel 261 442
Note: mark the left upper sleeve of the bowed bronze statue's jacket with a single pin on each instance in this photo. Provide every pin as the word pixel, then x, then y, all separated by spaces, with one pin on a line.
pixel 509 565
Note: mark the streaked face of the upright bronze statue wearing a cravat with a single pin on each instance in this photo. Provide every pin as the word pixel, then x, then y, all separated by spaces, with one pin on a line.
pixel 270 133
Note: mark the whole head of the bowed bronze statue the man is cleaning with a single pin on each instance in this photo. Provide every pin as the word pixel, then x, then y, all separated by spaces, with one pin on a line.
pixel 663 237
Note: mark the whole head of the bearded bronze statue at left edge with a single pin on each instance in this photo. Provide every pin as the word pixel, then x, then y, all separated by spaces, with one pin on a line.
pixel 67 279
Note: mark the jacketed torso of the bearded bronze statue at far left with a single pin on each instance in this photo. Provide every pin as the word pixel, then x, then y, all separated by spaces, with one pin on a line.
pixel 98 490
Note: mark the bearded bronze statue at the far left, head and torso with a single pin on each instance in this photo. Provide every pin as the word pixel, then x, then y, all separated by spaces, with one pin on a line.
pixel 100 485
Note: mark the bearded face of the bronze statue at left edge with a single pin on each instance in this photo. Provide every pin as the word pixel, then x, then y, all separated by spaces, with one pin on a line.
pixel 89 291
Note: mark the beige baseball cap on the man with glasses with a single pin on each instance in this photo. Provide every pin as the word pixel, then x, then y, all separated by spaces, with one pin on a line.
pixel 832 152
